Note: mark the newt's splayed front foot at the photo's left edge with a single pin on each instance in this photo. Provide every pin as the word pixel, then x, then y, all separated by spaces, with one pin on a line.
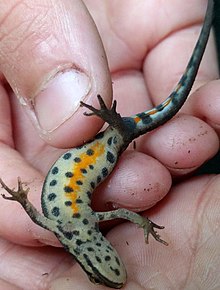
pixel 20 195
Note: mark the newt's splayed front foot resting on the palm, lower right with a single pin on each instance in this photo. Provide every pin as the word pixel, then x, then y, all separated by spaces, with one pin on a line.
pixel 149 228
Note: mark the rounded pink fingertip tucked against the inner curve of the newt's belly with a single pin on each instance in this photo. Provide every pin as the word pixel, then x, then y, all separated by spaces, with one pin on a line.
pixel 137 183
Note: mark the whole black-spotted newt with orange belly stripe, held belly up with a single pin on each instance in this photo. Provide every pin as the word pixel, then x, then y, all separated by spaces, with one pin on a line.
pixel 69 184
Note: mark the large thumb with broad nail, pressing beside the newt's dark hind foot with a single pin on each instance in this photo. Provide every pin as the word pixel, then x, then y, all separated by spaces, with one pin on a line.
pixel 52 57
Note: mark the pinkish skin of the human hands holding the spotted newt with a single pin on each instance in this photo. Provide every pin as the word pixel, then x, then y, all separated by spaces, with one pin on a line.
pixel 147 46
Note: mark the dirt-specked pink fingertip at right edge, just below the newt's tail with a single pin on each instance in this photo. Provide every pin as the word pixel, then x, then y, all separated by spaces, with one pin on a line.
pixel 182 145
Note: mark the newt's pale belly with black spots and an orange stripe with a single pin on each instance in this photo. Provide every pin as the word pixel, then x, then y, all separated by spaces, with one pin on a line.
pixel 71 180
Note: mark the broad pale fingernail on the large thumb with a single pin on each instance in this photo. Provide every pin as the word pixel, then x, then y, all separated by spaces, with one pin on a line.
pixel 60 99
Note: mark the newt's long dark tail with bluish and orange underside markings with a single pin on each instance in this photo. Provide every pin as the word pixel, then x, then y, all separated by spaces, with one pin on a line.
pixel 151 119
